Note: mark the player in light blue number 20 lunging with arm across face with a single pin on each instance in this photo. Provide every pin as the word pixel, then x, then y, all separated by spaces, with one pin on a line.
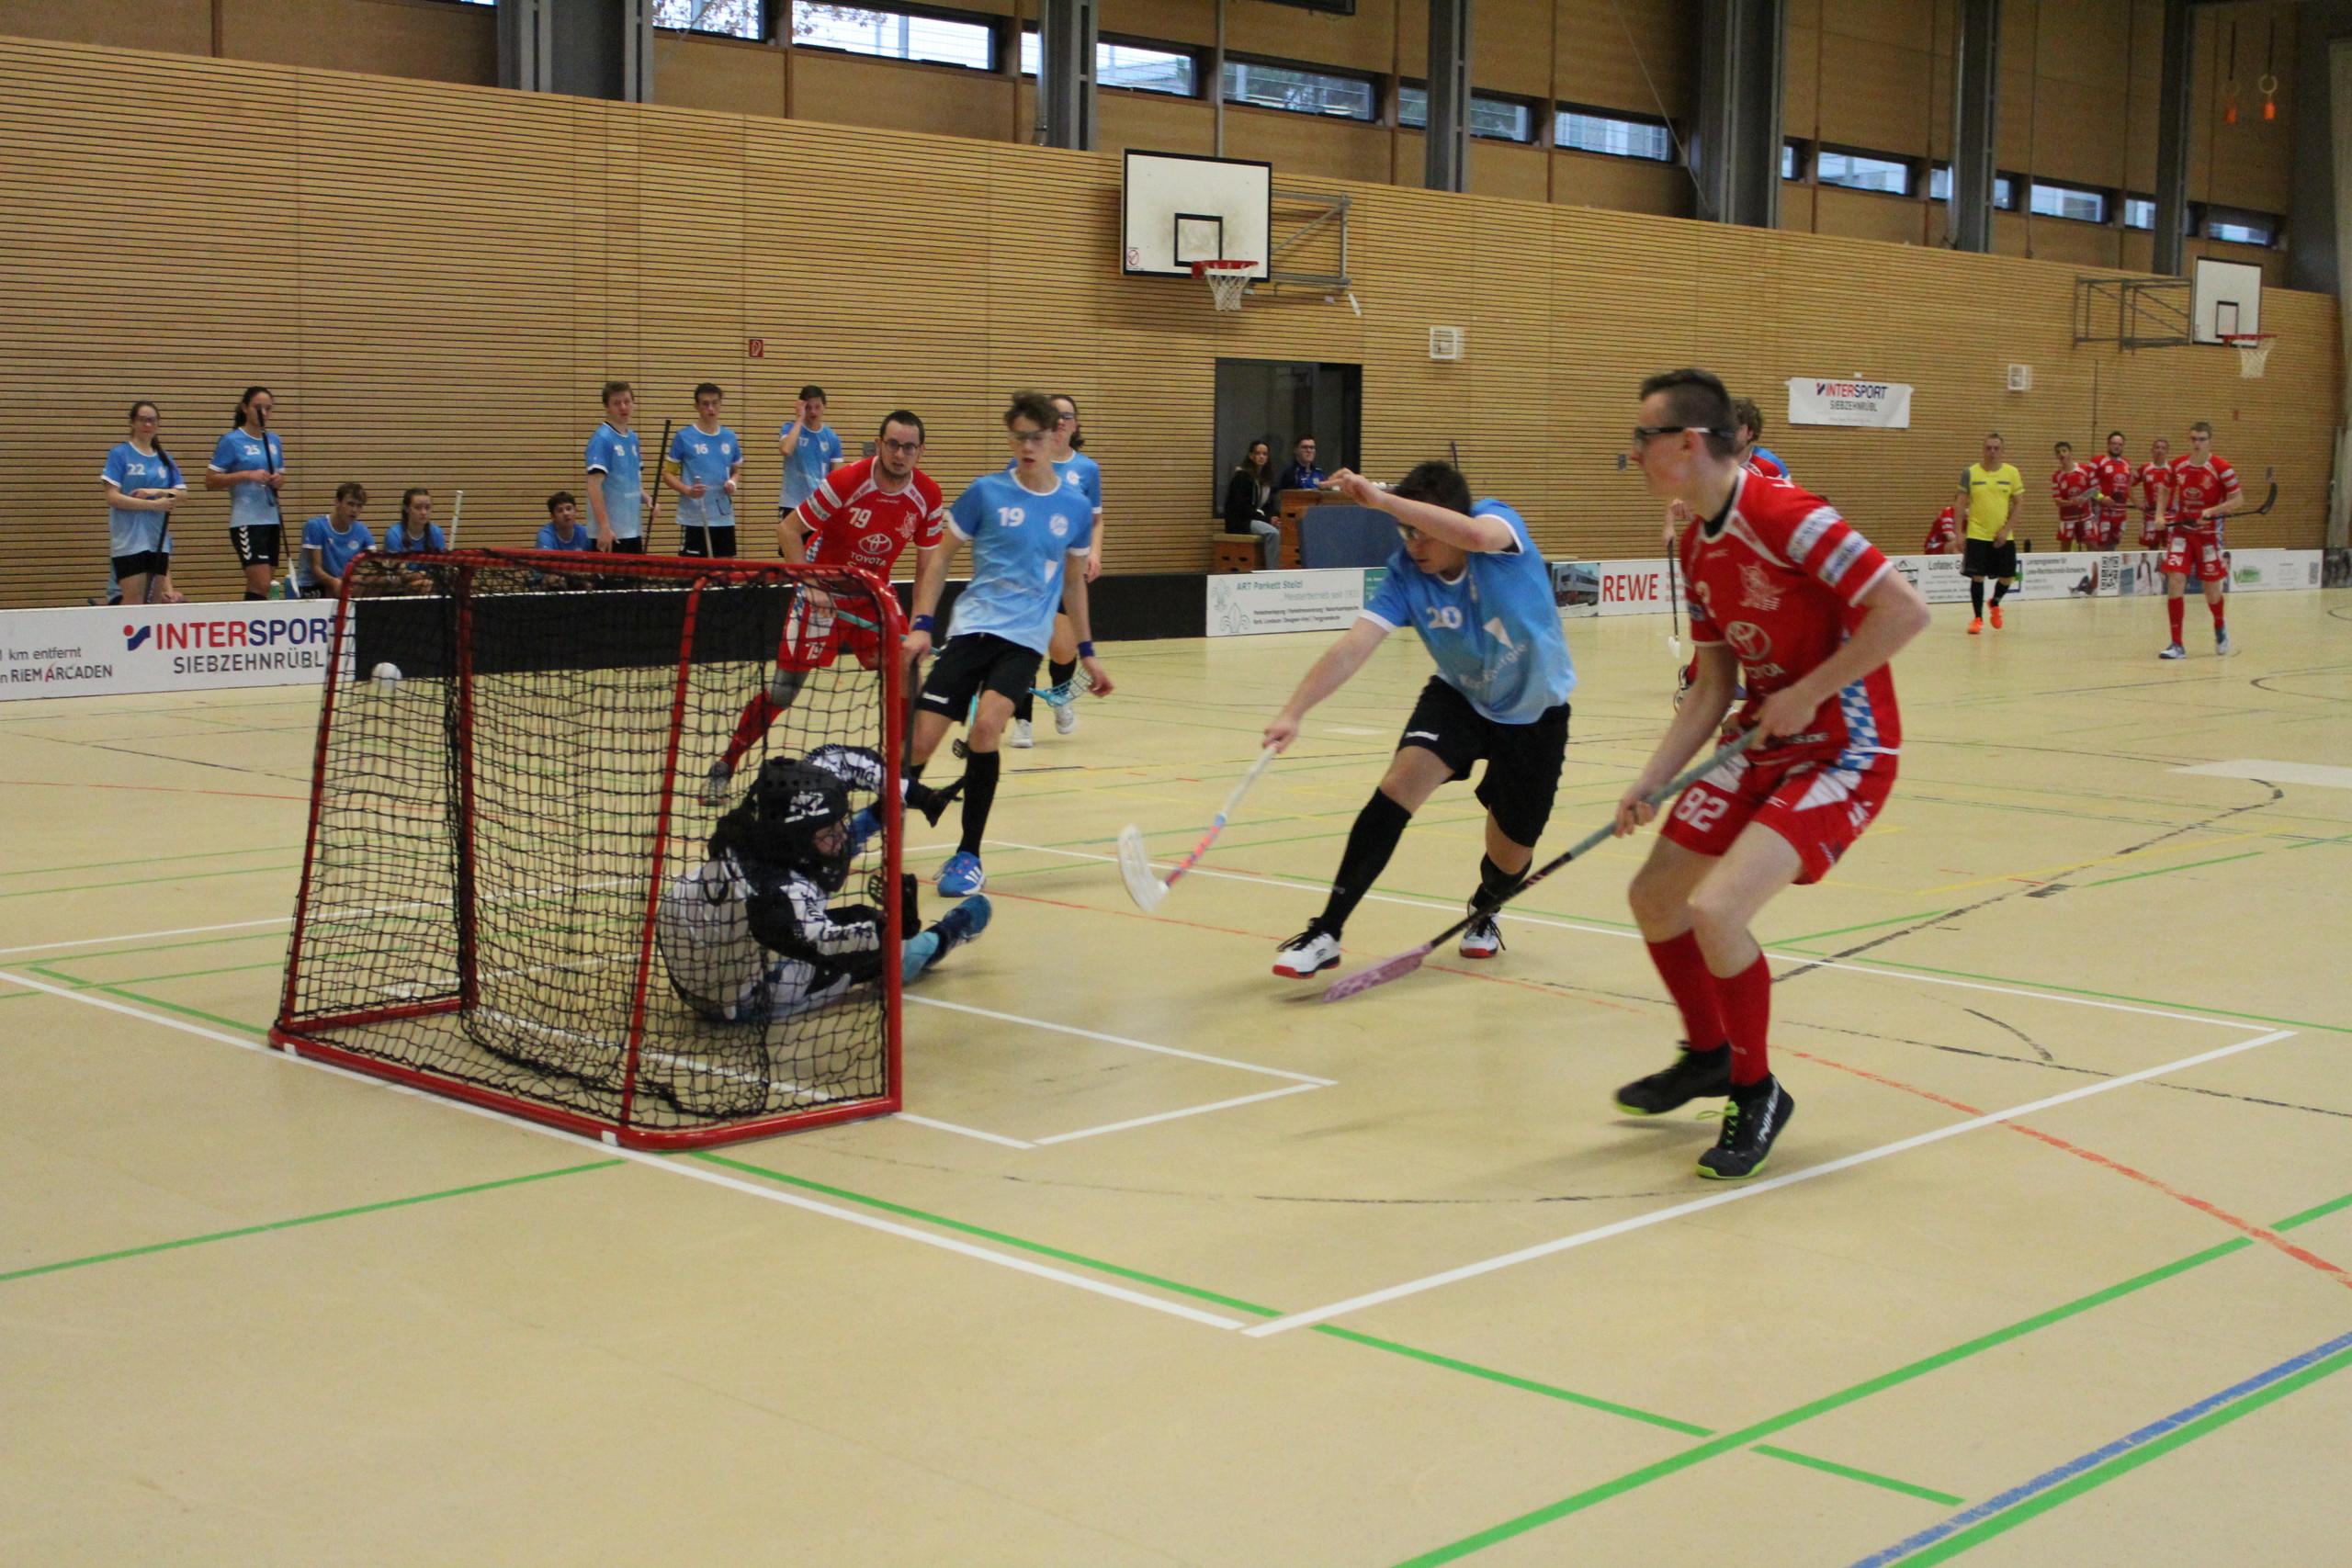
pixel 1478 591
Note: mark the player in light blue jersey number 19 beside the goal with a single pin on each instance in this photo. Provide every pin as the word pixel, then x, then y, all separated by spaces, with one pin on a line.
pixel 1024 528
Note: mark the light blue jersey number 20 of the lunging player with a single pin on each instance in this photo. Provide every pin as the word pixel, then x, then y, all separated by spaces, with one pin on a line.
pixel 1495 631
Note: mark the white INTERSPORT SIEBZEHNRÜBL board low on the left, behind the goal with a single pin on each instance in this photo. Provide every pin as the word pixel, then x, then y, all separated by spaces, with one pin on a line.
pixel 163 648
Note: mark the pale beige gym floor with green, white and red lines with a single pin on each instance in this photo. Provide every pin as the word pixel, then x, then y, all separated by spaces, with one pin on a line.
pixel 1175 1264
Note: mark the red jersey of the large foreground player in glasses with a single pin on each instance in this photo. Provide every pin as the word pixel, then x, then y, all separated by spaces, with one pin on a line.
pixel 1779 579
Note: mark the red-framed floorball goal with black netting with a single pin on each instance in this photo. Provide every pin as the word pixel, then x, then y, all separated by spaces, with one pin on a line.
pixel 544 871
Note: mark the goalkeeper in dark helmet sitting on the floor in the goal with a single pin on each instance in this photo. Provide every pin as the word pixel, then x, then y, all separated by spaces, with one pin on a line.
pixel 754 934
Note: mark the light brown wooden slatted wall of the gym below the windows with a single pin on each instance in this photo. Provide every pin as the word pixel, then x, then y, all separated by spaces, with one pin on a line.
pixel 436 279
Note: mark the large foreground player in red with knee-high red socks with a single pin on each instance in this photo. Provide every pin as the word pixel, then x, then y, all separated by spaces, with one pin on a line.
pixel 1786 596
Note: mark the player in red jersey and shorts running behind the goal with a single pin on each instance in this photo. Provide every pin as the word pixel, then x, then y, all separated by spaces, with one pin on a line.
pixel 862 516
